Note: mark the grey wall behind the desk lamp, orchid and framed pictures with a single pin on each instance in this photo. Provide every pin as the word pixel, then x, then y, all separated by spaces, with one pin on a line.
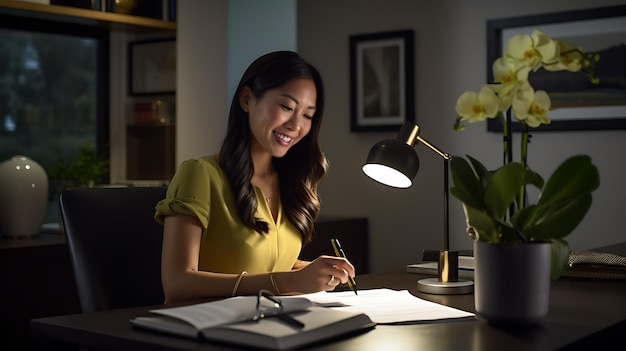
pixel 450 57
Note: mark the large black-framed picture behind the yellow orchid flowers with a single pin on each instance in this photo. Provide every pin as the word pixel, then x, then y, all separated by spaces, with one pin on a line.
pixel 578 104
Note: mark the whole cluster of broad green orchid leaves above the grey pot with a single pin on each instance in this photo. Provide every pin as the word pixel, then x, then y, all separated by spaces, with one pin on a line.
pixel 487 197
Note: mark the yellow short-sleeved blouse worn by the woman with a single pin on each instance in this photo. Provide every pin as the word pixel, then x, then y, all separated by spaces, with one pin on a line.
pixel 201 189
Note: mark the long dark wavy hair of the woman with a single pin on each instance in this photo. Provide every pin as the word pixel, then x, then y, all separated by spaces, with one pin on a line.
pixel 304 165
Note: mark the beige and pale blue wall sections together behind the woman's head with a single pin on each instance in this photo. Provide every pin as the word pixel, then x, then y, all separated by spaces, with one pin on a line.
pixel 216 41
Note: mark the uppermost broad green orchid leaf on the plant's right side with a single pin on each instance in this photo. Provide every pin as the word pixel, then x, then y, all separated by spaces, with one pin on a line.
pixel 574 177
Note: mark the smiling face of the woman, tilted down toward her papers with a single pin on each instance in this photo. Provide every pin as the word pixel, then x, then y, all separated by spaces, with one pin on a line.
pixel 281 117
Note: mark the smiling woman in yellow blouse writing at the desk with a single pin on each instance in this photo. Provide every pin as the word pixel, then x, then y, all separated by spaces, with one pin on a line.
pixel 234 222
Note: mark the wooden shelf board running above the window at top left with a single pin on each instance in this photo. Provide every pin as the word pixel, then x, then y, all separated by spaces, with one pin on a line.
pixel 83 16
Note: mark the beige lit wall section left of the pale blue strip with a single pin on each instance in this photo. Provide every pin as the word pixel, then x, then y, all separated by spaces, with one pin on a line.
pixel 201 78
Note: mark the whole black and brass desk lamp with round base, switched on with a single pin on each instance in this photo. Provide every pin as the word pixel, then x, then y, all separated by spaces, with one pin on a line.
pixel 394 162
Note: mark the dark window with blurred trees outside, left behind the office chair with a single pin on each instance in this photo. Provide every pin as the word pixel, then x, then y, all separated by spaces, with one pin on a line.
pixel 53 90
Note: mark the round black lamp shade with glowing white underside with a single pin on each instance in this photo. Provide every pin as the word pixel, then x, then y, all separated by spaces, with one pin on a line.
pixel 392 162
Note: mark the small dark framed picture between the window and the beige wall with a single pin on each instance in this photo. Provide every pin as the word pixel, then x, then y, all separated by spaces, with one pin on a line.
pixel 152 67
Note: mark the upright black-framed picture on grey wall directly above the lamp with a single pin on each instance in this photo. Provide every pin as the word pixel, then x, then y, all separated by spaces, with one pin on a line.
pixel 381 80
